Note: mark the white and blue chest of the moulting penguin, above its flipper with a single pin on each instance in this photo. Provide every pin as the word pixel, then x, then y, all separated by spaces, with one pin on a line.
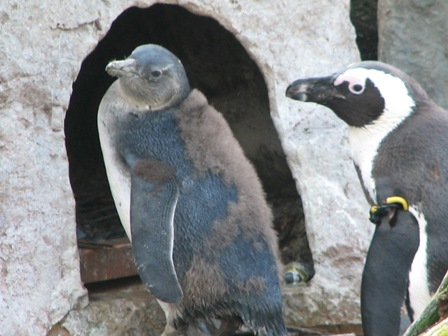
pixel 144 135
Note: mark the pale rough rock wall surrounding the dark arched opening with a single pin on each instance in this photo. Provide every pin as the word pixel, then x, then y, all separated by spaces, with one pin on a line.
pixel 43 45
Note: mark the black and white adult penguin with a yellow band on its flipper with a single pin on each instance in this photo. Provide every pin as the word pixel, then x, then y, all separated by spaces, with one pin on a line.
pixel 399 143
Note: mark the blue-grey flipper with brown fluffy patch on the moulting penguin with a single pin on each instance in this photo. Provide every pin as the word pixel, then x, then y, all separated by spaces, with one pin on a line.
pixel 154 195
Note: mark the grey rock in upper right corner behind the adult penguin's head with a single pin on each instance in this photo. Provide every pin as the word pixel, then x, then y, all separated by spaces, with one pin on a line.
pixel 412 37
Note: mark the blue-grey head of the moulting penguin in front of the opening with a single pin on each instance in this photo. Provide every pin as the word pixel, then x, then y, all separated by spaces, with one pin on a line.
pixel 151 77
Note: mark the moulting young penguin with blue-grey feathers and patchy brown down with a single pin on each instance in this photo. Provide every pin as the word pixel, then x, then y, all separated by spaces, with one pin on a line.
pixel 189 200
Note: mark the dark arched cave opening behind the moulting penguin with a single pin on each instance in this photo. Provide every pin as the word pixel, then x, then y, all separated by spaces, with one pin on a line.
pixel 216 64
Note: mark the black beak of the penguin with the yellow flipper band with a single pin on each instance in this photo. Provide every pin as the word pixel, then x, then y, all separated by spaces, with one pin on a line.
pixel 317 90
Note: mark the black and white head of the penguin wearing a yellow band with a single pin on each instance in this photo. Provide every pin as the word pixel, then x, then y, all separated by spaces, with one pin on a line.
pixel 363 94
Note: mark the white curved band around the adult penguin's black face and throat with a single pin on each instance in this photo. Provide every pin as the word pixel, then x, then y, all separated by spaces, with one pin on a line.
pixel 366 140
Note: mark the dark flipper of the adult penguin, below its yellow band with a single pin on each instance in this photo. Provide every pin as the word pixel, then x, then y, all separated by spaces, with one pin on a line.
pixel 386 273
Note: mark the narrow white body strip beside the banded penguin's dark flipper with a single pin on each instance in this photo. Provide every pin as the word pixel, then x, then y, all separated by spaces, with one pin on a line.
pixel 419 294
